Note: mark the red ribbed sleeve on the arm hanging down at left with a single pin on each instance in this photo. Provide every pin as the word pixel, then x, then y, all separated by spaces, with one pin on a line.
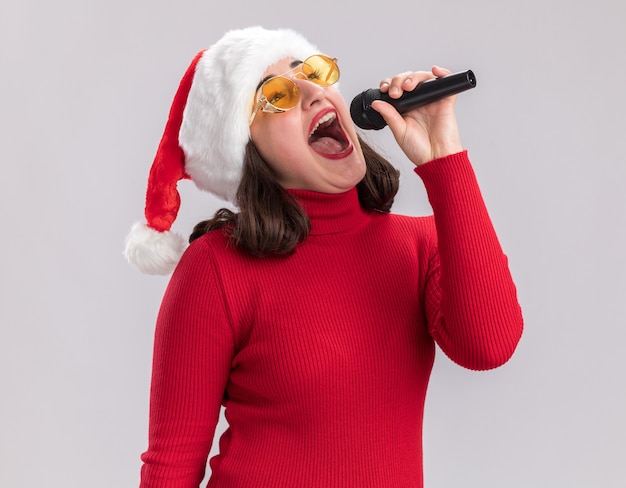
pixel 193 351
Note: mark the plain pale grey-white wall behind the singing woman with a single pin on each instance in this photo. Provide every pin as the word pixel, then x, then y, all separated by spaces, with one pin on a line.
pixel 85 89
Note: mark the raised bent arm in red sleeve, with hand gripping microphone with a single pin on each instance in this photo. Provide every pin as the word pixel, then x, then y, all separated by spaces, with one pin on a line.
pixel 471 299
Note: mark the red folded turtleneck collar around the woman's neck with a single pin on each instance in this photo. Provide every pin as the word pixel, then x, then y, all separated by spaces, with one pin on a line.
pixel 331 213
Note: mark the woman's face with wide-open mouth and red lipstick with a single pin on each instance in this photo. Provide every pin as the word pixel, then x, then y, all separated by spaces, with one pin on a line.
pixel 313 146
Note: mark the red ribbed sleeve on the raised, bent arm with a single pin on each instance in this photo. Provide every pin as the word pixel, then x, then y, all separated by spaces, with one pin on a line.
pixel 471 300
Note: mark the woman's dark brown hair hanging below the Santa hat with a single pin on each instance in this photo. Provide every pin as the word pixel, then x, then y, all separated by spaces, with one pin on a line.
pixel 270 221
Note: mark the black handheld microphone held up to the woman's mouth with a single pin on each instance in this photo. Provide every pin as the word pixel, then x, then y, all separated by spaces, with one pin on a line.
pixel 426 92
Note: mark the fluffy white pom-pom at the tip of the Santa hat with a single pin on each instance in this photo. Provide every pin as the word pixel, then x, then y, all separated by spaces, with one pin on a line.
pixel 153 252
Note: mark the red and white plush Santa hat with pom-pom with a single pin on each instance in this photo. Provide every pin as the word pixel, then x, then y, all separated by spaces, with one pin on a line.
pixel 206 135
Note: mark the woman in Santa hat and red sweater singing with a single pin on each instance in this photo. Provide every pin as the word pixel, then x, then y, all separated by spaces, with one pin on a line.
pixel 311 312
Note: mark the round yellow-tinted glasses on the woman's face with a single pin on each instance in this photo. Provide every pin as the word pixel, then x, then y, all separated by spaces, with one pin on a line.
pixel 280 93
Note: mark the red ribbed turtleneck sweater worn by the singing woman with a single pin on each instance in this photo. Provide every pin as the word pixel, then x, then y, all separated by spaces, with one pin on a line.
pixel 322 358
